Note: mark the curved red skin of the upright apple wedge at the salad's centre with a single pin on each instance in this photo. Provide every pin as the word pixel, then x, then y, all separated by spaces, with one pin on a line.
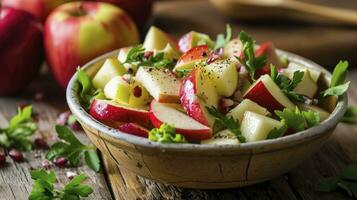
pixel 189 99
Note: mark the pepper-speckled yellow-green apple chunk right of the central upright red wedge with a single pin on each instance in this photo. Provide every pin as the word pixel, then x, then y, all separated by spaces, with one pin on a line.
pixel 223 75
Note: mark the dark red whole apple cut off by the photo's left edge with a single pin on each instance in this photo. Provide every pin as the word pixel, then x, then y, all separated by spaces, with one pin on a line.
pixel 21 52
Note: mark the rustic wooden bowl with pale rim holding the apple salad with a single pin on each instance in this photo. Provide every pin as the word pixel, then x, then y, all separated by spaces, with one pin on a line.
pixel 206 166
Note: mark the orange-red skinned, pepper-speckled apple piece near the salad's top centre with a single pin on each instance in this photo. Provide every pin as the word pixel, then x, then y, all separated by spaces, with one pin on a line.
pixel 188 60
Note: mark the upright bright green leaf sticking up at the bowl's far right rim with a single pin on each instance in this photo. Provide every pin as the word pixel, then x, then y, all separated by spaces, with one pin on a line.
pixel 338 85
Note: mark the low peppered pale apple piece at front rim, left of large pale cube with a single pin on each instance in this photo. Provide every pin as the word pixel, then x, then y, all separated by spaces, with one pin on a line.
pixel 222 138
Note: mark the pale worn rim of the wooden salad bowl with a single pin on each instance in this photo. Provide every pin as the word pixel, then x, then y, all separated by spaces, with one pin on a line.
pixel 321 129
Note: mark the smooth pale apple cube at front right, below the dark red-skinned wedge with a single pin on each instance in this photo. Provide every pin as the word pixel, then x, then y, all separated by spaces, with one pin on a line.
pixel 256 127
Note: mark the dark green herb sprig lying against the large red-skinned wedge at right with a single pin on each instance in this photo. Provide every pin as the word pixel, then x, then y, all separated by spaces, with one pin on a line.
pixel 287 85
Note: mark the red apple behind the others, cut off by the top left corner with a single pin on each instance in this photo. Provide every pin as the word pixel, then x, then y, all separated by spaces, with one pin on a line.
pixel 39 8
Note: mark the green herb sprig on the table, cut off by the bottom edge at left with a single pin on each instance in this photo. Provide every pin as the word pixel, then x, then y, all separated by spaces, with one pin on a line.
pixel 44 187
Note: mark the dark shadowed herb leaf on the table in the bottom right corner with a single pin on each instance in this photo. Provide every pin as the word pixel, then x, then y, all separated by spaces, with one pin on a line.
pixel 346 181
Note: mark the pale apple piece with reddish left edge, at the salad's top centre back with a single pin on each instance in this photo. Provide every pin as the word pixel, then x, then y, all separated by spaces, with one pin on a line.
pixel 193 39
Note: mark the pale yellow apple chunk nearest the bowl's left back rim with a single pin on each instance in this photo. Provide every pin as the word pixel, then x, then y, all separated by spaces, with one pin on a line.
pixel 111 68
